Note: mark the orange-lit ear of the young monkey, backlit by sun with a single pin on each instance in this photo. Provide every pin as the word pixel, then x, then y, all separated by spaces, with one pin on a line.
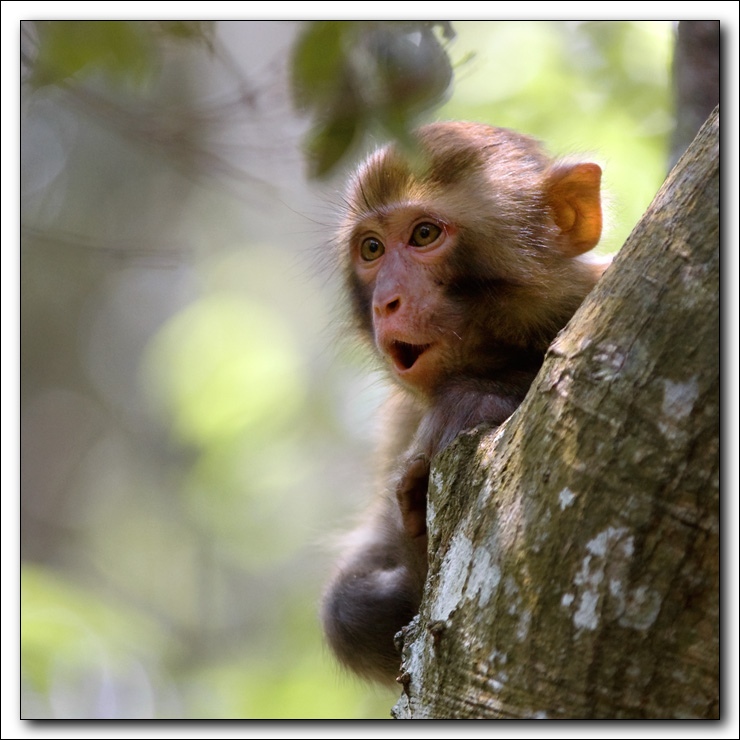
pixel 573 194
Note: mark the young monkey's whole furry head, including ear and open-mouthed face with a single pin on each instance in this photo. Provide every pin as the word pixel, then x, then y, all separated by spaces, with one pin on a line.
pixel 468 259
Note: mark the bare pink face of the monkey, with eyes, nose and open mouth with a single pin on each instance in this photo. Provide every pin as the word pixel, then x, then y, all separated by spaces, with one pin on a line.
pixel 399 257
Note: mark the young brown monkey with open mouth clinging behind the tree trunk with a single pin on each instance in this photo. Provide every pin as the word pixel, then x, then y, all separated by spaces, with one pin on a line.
pixel 462 264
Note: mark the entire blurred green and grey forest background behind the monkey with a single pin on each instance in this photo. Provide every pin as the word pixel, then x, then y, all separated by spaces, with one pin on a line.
pixel 195 425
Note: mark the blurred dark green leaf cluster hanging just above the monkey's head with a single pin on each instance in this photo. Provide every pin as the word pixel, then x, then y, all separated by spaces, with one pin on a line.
pixel 357 76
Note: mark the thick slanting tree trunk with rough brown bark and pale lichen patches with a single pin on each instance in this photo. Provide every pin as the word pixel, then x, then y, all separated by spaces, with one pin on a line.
pixel 574 551
